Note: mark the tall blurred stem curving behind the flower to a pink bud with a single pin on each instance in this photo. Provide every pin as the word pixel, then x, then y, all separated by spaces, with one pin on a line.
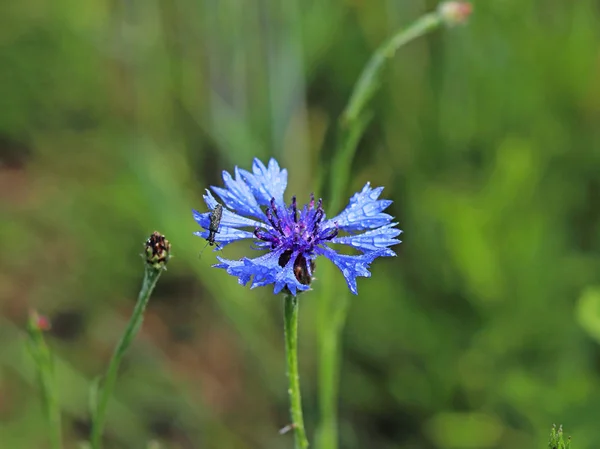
pixel 334 304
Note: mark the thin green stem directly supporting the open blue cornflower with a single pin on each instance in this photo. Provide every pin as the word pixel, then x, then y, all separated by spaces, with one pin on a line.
pixel 291 350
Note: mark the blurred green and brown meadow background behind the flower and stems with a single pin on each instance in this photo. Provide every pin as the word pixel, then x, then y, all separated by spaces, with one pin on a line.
pixel 114 117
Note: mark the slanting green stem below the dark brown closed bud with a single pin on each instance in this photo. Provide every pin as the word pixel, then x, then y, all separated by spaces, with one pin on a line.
pixel 151 276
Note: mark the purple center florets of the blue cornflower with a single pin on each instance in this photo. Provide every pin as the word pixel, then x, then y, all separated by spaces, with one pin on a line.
pixel 296 231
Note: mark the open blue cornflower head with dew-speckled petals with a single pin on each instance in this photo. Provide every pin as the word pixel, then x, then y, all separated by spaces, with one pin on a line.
pixel 292 236
